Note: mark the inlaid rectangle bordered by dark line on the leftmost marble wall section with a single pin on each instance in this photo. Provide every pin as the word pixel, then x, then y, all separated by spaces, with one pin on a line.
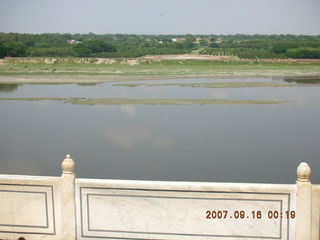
pixel 27 209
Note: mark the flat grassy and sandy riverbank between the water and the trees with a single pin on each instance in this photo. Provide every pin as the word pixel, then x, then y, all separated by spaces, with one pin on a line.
pixel 33 70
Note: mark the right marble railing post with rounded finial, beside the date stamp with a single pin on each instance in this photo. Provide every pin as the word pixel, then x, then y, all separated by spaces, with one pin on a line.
pixel 304 202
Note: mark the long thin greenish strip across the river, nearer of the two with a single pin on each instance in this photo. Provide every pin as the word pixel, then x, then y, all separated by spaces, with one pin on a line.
pixel 146 101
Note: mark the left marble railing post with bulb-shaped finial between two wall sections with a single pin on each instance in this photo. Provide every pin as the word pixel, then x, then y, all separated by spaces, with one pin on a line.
pixel 68 209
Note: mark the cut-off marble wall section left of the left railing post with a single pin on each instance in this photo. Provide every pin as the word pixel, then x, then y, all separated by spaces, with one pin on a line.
pixel 29 207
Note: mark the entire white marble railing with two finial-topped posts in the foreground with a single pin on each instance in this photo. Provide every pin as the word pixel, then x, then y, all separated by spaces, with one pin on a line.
pixel 67 208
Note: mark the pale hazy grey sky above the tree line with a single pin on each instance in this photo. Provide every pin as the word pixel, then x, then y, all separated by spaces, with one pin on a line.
pixel 161 16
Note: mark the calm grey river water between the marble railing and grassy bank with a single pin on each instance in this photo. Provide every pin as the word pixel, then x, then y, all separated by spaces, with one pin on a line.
pixel 210 142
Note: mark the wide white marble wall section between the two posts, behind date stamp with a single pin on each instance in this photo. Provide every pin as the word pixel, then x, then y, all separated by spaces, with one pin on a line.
pixel 168 210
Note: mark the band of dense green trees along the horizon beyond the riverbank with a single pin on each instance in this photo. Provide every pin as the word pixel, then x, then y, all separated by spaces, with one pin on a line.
pixel 131 45
